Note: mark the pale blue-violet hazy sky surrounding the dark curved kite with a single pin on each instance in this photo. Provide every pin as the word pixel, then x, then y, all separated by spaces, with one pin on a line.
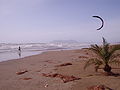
pixel 36 21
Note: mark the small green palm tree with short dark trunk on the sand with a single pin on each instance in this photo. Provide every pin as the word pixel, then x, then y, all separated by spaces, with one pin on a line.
pixel 105 55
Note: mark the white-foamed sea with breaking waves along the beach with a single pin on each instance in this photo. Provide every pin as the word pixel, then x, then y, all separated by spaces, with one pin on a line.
pixel 9 51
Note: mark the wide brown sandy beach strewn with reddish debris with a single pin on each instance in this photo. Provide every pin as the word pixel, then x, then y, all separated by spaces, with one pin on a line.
pixel 33 67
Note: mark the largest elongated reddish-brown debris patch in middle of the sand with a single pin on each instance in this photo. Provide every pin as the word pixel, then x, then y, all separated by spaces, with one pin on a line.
pixel 65 78
